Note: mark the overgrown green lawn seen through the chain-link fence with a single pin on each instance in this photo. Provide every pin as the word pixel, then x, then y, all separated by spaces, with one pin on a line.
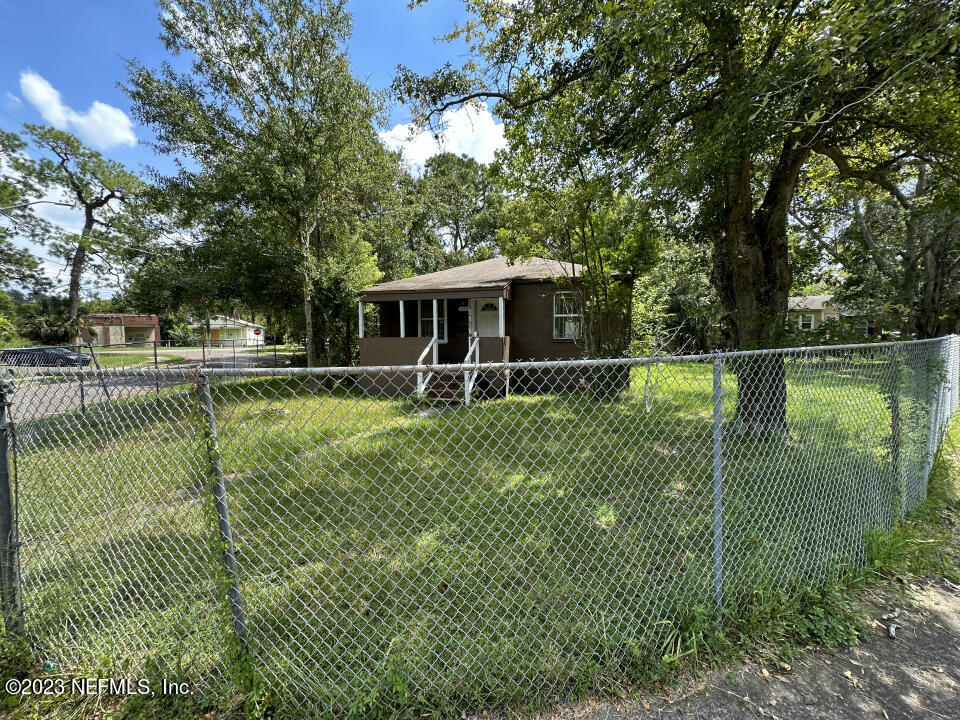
pixel 505 554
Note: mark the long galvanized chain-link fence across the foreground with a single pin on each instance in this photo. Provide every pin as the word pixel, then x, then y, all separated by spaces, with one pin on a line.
pixel 510 532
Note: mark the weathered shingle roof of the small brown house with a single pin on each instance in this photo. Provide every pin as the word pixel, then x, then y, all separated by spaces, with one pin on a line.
pixel 495 273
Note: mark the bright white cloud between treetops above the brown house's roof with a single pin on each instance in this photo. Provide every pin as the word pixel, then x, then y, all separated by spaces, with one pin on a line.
pixel 469 129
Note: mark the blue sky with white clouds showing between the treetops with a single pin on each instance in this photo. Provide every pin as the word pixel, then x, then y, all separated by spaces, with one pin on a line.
pixel 61 62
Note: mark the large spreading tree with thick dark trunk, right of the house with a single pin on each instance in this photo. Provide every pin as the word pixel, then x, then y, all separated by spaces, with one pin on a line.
pixel 722 104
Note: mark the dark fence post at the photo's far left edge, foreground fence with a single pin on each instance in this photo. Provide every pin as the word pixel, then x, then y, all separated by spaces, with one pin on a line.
pixel 9 550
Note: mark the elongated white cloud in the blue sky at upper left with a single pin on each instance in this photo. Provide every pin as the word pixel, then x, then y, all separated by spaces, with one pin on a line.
pixel 102 125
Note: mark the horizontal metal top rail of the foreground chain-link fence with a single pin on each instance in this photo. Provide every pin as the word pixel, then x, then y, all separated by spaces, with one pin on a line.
pixel 200 370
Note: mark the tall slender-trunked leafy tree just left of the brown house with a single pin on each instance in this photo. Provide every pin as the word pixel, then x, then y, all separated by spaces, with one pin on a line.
pixel 281 133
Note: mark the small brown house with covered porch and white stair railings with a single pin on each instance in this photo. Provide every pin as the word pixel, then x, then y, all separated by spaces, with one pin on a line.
pixel 520 311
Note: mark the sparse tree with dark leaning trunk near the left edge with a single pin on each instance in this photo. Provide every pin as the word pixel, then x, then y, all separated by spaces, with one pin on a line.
pixel 104 191
